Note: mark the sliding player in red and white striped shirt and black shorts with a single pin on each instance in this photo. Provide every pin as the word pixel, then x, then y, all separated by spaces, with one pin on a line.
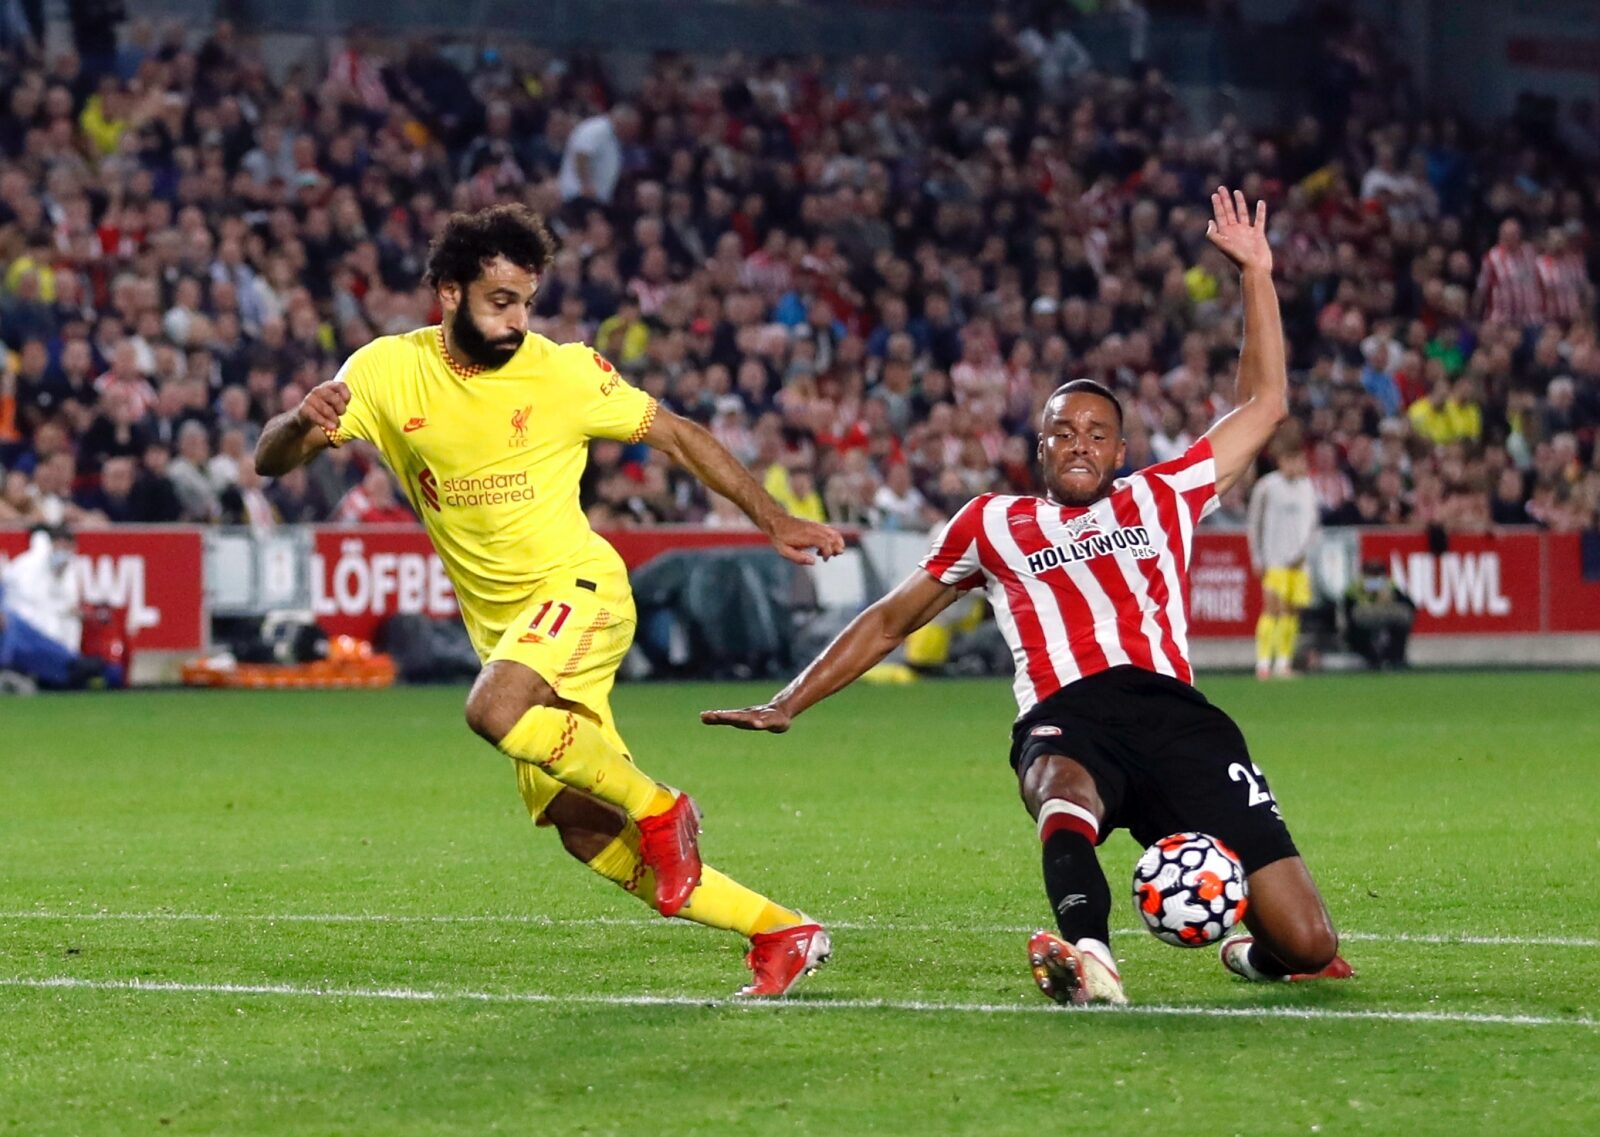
pixel 1090 588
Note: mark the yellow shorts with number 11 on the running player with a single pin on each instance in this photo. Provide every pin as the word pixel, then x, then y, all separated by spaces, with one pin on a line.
pixel 574 632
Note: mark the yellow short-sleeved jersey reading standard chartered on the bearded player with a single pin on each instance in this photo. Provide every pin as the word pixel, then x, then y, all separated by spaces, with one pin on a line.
pixel 492 460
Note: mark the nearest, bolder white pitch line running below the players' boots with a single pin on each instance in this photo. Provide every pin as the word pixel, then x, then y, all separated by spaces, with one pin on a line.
pixel 414 995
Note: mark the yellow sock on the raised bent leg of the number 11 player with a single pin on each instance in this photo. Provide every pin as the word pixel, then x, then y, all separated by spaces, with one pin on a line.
pixel 575 752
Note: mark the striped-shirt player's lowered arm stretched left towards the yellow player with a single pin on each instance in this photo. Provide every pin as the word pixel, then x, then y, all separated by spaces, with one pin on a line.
pixel 858 648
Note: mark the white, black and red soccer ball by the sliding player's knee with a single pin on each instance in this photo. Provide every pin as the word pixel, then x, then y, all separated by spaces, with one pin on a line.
pixel 1191 890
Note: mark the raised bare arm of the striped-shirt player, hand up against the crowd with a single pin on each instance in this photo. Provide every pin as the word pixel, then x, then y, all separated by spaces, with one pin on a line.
pixel 1262 401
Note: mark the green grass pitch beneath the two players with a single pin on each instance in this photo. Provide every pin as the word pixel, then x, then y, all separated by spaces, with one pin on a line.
pixel 326 914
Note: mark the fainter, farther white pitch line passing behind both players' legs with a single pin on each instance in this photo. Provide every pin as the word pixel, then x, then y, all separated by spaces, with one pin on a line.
pixel 537 920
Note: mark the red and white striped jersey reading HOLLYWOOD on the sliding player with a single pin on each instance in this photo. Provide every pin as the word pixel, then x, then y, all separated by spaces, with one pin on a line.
pixel 1081 591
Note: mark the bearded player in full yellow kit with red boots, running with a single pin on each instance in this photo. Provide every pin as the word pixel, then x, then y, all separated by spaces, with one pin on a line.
pixel 487 429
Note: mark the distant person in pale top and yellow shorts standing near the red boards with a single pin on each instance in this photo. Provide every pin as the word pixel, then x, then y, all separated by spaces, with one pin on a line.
pixel 1284 524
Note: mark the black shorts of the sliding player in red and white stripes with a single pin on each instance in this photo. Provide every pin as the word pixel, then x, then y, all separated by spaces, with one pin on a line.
pixel 1164 762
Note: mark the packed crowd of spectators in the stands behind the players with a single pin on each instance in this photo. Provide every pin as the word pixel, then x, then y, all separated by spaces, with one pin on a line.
pixel 865 287
